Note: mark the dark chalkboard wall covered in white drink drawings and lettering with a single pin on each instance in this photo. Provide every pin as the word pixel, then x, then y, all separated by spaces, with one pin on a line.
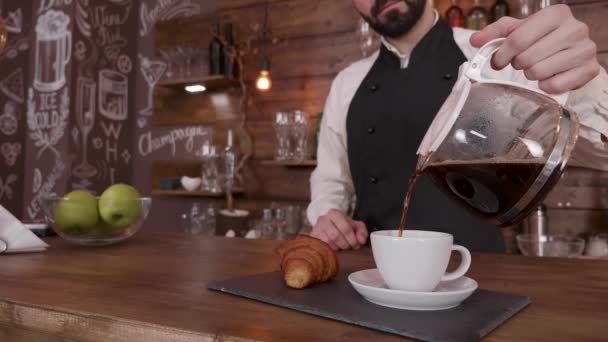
pixel 74 104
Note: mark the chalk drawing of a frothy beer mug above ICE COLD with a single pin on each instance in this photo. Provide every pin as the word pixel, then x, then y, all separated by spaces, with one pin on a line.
pixel 53 50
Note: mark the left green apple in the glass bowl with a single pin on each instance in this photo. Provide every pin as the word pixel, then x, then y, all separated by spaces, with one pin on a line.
pixel 76 212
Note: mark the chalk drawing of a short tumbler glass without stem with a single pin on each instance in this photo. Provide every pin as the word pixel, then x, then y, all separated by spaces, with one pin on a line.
pixel 113 94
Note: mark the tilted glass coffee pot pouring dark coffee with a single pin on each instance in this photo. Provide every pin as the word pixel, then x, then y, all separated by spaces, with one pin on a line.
pixel 497 147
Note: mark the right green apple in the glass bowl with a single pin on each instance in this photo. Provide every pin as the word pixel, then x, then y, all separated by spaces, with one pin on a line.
pixel 119 206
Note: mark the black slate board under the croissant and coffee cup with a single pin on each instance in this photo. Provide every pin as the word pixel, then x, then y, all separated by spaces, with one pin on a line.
pixel 473 319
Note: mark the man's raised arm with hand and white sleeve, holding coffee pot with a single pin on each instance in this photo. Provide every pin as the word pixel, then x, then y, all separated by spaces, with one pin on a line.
pixel 554 48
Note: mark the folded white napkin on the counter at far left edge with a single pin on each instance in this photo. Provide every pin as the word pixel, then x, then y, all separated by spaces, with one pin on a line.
pixel 15 238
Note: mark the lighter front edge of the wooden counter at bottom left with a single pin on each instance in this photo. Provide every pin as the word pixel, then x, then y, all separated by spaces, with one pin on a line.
pixel 94 327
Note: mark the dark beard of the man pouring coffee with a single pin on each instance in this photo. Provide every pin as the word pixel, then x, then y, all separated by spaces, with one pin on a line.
pixel 397 24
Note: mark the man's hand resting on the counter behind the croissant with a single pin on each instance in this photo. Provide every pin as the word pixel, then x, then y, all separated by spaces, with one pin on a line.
pixel 340 231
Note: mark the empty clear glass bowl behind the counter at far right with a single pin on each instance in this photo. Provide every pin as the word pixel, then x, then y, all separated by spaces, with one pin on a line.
pixel 550 245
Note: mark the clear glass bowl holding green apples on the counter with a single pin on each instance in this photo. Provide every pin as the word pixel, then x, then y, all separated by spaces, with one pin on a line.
pixel 75 222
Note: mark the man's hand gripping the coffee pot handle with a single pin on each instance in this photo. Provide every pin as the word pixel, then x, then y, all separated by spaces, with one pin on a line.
pixel 551 47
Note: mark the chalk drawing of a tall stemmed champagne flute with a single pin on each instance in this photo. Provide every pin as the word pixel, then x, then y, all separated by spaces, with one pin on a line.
pixel 85 118
